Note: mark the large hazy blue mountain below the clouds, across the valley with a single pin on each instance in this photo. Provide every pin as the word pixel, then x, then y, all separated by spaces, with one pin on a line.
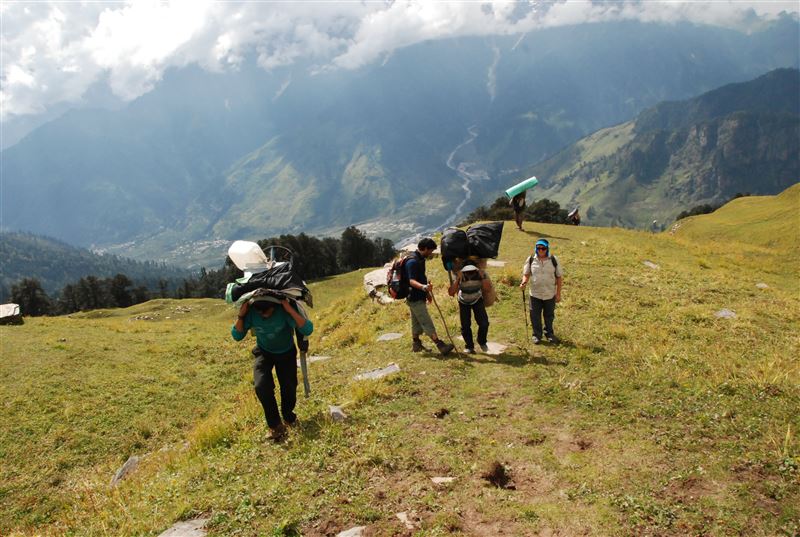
pixel 371 144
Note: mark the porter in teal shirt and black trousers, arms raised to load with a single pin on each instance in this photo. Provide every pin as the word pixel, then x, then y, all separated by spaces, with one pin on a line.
pixel 274 325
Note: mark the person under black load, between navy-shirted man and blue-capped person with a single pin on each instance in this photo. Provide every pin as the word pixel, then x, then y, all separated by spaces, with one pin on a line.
pixel 470 283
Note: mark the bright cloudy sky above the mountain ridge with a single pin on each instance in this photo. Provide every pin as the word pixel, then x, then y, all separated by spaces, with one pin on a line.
pixel 52 52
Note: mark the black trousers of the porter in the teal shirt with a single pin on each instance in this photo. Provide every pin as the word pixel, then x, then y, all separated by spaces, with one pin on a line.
pixel 286 368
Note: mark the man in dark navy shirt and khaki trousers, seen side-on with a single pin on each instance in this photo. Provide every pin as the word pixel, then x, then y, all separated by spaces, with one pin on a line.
pixel 420 294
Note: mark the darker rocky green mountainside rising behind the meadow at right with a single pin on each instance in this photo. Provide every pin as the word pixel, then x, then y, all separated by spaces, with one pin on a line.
pixel 739 138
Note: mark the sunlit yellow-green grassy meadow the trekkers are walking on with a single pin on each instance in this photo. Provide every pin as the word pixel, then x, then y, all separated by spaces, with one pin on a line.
pixel 653 417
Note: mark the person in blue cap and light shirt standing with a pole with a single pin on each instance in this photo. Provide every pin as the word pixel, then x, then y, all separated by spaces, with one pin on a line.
pixel 543 273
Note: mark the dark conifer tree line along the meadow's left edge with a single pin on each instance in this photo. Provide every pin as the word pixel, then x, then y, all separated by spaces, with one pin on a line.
pixel 313 258
